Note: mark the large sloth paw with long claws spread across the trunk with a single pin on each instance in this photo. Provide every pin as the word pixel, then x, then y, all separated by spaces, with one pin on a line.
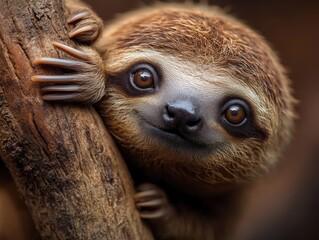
pixel 83 82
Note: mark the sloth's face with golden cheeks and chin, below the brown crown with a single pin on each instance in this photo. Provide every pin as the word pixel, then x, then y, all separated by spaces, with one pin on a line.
pixel 168 112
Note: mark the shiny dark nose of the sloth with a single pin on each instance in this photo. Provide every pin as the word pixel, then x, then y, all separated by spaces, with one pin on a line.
pixel 182 116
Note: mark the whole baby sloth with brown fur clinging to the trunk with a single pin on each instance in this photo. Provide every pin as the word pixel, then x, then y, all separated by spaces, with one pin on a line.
pixel 197 102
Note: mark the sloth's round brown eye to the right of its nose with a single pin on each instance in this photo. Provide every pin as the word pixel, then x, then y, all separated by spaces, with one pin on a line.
pixel 235 112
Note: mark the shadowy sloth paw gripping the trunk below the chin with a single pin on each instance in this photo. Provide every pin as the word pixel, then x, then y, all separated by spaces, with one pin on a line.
pixel 151 201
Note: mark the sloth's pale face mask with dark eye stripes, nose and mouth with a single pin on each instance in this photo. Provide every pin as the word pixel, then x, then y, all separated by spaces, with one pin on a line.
pixel 187 110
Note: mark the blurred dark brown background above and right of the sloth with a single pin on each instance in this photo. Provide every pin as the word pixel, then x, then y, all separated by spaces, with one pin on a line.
pixel 286 205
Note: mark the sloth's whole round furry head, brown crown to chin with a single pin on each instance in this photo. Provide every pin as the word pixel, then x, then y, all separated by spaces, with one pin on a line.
pixel 197 92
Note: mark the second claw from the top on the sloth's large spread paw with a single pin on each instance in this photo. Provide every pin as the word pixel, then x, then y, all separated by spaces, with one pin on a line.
pixel 63 63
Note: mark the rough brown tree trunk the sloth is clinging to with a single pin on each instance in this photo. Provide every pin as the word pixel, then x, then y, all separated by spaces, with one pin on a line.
pixel 61 157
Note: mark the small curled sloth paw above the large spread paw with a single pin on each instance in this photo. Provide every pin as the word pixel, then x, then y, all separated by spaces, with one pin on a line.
pixel 86 25
